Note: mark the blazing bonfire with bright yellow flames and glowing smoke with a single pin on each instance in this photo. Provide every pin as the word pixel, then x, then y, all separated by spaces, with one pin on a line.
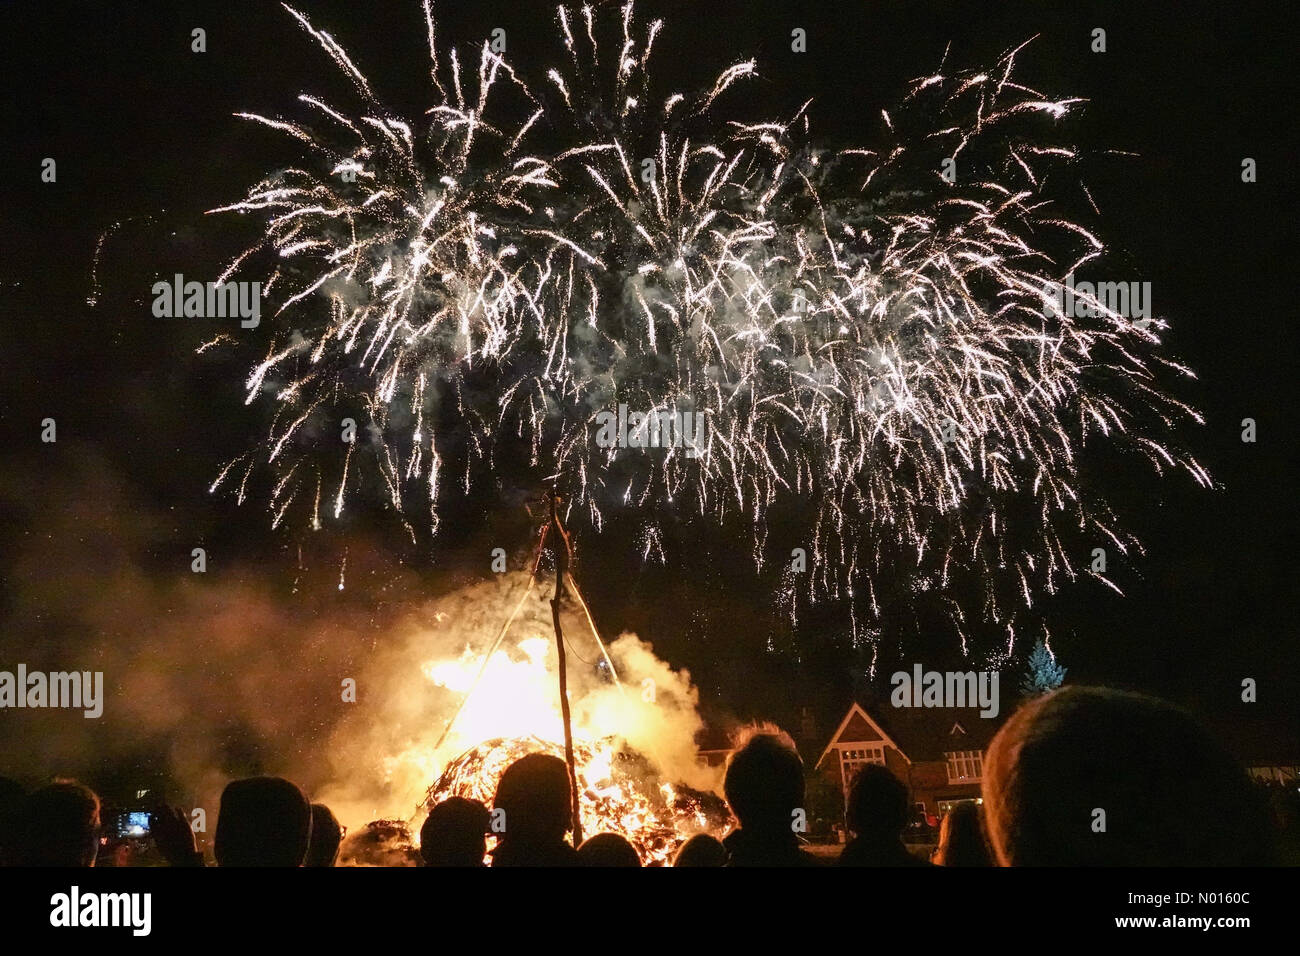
pixel 456 698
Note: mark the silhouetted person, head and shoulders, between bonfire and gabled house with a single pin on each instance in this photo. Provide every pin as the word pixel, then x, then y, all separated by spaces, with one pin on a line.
pixel 765 790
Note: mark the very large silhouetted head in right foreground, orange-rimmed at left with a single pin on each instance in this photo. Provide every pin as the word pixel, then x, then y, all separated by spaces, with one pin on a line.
pixel 1087 776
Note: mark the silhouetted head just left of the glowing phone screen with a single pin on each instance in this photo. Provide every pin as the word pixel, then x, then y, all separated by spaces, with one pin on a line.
pixel 58 827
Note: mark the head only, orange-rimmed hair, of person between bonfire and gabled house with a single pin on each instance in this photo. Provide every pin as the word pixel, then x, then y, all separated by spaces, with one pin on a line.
pixel 765 784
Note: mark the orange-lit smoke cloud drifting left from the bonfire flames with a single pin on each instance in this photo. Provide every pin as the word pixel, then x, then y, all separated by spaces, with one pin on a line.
pixel 237 671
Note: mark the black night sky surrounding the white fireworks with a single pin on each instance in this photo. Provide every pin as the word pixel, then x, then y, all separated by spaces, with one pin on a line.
pixel 142 131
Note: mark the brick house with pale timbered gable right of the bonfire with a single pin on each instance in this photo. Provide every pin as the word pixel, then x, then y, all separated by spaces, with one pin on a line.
pixel 937 752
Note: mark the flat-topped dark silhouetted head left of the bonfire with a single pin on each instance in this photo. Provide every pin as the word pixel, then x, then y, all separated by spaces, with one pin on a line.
pixel 265 821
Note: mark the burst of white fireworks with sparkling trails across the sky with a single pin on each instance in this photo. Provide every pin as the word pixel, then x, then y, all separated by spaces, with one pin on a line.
pixel 869 344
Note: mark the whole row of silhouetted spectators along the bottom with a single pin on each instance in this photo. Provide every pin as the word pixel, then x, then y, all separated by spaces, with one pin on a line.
pixel 1081 777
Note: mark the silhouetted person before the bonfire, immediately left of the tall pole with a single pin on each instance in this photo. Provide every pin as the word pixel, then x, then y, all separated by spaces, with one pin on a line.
pixel 536 798
